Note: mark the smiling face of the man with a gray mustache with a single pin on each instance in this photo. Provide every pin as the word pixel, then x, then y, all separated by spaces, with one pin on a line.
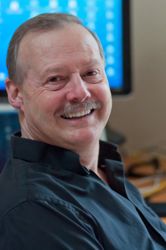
pixel 66 97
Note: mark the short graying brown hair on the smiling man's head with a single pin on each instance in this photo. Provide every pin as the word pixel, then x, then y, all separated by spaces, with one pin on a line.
pixel 42 22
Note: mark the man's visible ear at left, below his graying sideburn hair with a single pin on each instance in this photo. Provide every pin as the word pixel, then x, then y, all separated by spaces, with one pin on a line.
pixel 14 94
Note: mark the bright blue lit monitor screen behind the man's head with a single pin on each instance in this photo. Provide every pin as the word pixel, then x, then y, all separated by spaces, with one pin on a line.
pixel 103 17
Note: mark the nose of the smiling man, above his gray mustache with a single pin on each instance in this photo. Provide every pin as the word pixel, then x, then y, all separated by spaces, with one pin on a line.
pixel 78 91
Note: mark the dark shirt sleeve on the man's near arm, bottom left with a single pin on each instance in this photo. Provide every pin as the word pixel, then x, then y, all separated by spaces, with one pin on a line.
pixel 45 225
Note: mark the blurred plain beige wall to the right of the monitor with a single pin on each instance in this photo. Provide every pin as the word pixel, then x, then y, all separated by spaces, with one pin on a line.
pixel 142 115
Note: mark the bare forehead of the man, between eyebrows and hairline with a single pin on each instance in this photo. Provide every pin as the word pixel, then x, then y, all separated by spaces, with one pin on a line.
pixel 67 41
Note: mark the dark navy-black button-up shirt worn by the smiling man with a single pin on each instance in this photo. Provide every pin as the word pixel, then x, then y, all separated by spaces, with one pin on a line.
pixel 48 201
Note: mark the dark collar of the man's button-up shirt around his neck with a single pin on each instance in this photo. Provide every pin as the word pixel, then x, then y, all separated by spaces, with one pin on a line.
pixel 56 157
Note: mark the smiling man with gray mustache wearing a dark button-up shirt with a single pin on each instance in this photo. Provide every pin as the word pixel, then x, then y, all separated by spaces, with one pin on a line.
pixel 62 188
